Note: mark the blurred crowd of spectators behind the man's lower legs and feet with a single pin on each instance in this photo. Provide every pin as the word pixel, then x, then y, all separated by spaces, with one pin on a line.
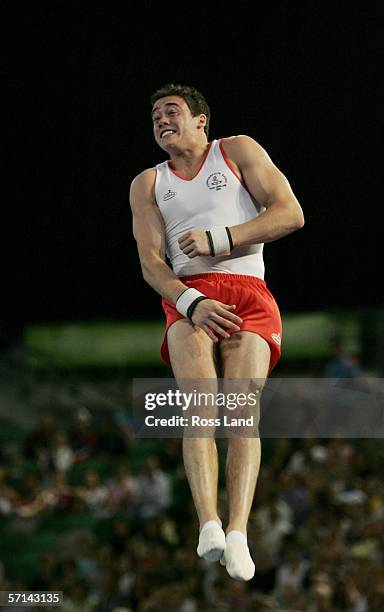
pixel 315 531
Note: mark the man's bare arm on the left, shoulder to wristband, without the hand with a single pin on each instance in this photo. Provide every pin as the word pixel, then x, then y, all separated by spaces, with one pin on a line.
pixel 149 232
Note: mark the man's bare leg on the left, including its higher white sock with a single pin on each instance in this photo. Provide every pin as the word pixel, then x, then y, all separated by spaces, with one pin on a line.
pixel 192 358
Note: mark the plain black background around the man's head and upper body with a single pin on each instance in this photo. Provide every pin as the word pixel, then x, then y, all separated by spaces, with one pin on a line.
pixel 301 78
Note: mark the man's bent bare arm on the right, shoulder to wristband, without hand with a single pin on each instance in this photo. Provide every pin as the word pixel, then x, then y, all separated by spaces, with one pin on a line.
pixel 270 188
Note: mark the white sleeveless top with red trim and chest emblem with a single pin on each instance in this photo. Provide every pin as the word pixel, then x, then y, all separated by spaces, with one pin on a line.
pixel 215 197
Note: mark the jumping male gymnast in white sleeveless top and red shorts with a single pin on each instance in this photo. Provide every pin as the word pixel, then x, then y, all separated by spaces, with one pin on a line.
pixel 210 207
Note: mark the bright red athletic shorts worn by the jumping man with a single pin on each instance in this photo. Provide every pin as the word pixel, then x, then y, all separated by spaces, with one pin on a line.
pixel 255 305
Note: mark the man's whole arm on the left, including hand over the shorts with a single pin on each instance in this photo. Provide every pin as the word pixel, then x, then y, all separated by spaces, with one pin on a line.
pixel 149 231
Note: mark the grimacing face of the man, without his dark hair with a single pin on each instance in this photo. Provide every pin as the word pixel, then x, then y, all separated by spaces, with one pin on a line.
pixel 173 124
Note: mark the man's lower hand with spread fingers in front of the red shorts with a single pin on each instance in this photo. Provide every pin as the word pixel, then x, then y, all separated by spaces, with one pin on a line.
pixel 213 316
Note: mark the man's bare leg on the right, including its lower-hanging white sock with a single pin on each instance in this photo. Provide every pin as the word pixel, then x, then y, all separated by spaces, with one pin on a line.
pixel 245 357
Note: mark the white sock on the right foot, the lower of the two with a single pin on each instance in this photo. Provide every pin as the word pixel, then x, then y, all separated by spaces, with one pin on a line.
pixel 237 558
